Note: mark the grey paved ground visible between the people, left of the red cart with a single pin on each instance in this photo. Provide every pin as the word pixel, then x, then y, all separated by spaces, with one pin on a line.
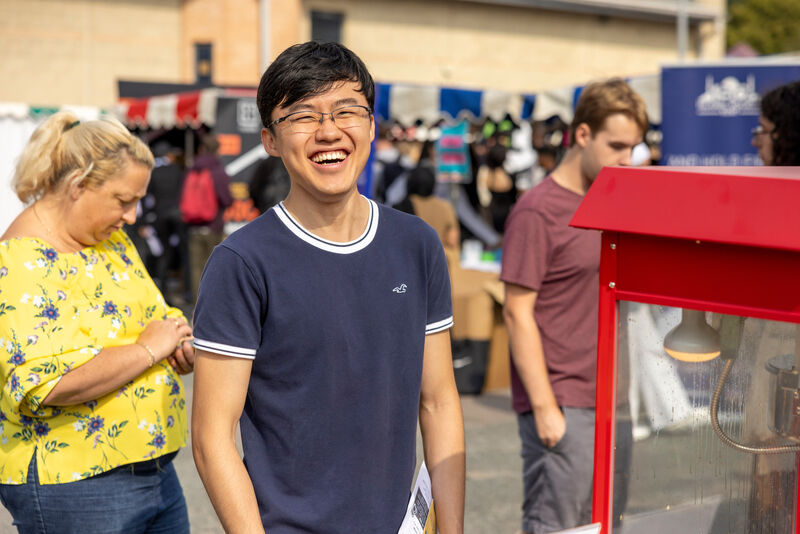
pixel 493 472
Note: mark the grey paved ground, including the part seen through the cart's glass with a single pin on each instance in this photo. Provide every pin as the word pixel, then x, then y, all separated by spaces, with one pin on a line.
pixel 707 491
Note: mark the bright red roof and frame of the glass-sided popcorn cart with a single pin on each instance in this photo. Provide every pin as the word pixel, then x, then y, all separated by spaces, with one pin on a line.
pixel 726 240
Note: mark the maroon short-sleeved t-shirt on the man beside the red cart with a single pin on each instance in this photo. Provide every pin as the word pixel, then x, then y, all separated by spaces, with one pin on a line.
pixel 562 264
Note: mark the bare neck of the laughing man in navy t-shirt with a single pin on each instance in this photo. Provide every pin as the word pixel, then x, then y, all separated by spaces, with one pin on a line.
pixel 340 221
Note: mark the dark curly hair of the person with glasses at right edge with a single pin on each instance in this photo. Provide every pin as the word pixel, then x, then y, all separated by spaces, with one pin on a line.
pixel 782 107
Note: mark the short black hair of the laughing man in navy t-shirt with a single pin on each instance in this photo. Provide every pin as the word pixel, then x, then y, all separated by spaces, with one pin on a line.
pixel 310 69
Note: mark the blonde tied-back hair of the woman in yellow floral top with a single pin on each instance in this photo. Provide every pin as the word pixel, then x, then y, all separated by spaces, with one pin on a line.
pixel 63 148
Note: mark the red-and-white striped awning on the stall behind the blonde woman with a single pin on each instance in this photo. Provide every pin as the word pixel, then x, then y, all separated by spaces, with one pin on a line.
pixel 176 110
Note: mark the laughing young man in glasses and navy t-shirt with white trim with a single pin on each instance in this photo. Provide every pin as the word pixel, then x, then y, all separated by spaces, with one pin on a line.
pixel 322 328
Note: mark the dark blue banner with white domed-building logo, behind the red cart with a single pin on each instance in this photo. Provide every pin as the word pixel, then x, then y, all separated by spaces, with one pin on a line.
pixel 709 111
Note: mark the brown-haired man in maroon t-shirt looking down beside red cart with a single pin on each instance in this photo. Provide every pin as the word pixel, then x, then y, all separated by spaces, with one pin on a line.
pixel 551 273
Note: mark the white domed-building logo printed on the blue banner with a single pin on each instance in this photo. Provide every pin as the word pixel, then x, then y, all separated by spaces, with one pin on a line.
pixel 728 98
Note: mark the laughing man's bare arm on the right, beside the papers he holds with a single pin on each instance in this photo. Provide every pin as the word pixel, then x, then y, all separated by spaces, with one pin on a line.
pixel 442 428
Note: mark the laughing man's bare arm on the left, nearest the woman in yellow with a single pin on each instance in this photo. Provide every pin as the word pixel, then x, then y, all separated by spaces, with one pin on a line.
pixel 220 388
